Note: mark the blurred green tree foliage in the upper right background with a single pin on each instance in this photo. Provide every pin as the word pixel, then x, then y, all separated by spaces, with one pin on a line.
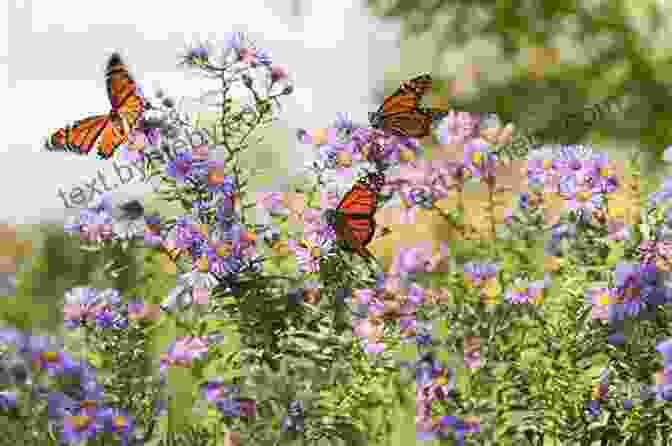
pixel 565 55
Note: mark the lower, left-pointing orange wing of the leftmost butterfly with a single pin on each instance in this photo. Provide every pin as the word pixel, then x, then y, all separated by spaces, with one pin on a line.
pixel 81 137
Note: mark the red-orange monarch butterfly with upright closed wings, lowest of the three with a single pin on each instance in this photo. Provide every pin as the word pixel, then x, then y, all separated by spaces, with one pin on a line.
pixel 353 220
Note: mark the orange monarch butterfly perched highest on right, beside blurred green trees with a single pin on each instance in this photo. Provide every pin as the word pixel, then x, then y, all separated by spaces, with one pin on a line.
pixel 401 114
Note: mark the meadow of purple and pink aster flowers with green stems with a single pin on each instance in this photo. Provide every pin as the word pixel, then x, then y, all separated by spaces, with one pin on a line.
pixel 536 316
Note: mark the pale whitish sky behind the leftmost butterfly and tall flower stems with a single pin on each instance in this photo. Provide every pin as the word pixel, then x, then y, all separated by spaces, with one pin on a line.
pixel 52 68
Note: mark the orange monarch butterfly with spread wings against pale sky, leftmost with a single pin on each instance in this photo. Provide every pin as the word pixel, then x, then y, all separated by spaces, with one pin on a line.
pixel 105 132
